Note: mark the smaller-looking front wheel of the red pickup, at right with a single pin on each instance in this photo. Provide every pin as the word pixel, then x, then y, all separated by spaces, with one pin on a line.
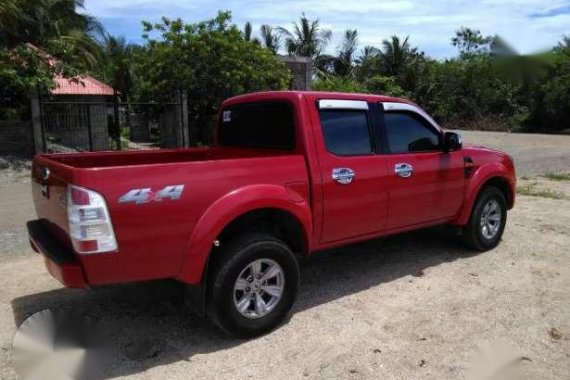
pixel 487 222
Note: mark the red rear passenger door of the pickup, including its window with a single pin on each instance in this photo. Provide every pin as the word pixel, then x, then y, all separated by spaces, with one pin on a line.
pixel 353 177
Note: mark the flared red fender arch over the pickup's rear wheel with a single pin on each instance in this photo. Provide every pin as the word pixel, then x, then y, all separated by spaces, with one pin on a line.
pixel 228 208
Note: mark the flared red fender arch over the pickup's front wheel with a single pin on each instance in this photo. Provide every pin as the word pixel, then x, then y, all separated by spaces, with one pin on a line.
pixel 476 182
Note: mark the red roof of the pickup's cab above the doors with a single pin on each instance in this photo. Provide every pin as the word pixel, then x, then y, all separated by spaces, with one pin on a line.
pixel 265 95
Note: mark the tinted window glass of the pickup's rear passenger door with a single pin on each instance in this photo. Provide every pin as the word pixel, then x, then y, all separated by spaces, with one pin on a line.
pixel 346 132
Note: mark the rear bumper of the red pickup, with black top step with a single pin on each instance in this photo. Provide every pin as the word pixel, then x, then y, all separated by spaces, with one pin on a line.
pixel 60 261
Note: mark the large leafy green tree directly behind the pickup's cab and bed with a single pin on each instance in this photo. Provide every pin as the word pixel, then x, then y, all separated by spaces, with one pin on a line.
pixel 211 60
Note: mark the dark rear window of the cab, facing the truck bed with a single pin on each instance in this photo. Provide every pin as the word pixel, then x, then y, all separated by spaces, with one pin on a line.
pixel 258 125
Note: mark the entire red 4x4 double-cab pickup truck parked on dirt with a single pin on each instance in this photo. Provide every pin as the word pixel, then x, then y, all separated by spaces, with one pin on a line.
pixel 289 173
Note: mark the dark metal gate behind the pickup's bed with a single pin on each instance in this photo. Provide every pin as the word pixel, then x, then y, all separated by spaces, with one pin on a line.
pixel 96 123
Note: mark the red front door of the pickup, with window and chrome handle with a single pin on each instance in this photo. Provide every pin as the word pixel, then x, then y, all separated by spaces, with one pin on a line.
pixel 425 183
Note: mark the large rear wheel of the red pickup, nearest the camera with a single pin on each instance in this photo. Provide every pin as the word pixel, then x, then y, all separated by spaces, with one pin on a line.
pixel 253 285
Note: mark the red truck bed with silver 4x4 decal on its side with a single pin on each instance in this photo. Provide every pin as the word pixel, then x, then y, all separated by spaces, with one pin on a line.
pixel 153 237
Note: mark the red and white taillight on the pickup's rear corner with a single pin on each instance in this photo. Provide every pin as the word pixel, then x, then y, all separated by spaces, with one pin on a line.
pixel 90 225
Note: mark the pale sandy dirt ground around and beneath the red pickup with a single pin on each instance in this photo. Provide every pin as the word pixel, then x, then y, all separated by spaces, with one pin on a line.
pixel 413 306
